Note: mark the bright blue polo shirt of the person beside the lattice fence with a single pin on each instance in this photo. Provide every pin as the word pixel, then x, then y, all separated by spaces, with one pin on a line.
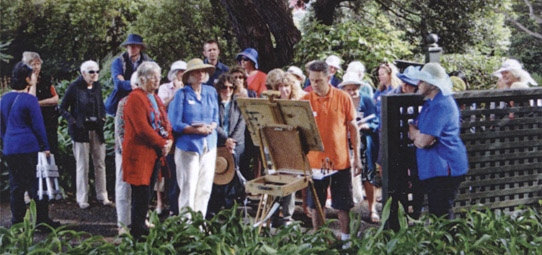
pixel 448 156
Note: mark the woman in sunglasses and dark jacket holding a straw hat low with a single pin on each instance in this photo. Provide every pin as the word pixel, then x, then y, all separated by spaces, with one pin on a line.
pixel 231 137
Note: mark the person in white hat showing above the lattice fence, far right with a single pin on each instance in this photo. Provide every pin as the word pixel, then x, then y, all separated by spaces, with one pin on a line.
pixel 511 72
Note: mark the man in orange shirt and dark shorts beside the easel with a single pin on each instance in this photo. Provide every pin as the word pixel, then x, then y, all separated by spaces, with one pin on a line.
pixel 335 116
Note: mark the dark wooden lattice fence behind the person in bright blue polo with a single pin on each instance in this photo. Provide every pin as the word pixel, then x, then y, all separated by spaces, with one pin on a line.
pixel 502 130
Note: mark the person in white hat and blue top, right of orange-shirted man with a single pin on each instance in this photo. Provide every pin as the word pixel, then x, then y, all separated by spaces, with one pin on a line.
pixel 368 130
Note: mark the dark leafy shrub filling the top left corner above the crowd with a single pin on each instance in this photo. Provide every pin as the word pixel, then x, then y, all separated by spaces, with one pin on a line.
pixel 66 32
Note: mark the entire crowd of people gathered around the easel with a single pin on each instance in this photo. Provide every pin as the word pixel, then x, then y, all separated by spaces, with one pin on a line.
pixel 168 136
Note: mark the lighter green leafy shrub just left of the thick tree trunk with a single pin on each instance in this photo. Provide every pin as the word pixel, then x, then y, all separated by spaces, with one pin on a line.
pixel 177 29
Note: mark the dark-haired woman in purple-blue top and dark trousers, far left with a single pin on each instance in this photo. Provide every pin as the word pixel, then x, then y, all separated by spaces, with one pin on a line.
pixel 23 133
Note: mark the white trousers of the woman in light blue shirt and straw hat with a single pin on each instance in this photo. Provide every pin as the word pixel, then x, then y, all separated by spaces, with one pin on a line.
pixel 195 174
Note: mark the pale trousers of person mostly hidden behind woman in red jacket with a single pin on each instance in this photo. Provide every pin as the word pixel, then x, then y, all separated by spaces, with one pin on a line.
pixel 123 195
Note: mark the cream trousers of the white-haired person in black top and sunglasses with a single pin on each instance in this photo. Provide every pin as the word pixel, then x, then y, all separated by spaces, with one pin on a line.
pixel 81 153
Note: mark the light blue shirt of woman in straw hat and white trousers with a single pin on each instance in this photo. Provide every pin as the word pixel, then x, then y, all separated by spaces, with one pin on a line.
pixel 185 109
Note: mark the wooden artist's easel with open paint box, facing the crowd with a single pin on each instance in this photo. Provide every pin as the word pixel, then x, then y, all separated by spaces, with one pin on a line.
pixel 288 130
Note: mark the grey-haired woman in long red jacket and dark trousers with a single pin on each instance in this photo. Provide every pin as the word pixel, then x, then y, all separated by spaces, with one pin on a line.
pixel 147 139
